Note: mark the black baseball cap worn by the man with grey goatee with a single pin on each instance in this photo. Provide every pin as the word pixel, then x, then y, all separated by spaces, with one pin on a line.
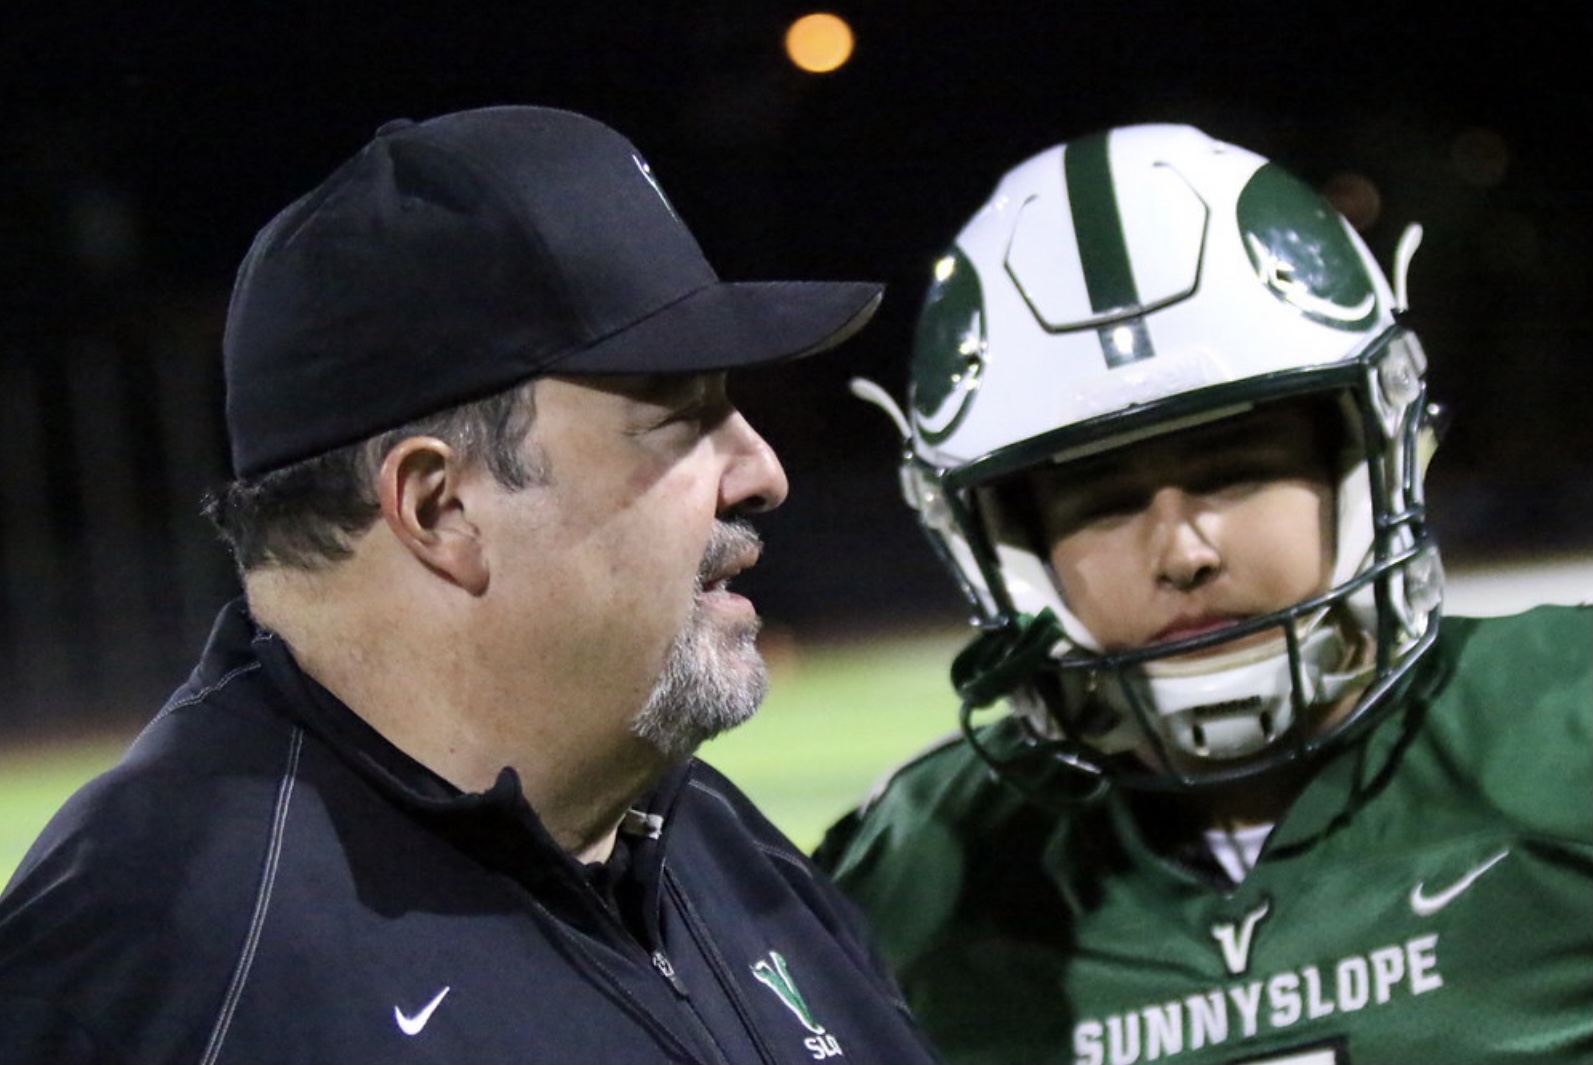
pixel 461 256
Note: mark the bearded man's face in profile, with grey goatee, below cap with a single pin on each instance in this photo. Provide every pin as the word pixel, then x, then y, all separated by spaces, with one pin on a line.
pixel 617 566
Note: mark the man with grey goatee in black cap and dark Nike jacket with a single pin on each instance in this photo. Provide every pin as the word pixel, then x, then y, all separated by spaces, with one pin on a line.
pixel 429 795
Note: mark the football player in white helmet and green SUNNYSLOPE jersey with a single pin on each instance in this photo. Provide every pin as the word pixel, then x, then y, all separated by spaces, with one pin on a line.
pixel 1247 794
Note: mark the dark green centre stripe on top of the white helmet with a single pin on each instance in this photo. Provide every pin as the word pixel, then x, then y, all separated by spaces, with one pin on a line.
pixel 1103 249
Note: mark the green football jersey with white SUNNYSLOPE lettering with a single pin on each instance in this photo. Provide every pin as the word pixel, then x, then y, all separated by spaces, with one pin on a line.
pixel 1428 897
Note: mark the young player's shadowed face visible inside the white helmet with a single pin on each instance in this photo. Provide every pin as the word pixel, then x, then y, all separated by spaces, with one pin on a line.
pixel 1186 534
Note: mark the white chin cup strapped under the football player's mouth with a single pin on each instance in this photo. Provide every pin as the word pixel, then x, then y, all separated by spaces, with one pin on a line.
pixel 1234 704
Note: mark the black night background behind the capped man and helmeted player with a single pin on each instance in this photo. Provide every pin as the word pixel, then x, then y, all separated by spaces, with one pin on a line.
pixel 143 146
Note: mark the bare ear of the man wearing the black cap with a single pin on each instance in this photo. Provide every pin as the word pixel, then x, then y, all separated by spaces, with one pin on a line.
pixel 420 490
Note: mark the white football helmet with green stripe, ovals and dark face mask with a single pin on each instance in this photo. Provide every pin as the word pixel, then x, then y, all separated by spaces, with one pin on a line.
pixel 1130 284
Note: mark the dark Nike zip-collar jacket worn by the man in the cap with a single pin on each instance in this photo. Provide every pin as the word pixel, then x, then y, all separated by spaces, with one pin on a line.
pixel 267 880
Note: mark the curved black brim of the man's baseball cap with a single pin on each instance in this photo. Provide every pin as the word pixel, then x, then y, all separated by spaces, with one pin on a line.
pixel 732 324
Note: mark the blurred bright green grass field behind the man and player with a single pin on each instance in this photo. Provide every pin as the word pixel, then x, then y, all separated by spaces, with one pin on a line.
pixel 837 719
